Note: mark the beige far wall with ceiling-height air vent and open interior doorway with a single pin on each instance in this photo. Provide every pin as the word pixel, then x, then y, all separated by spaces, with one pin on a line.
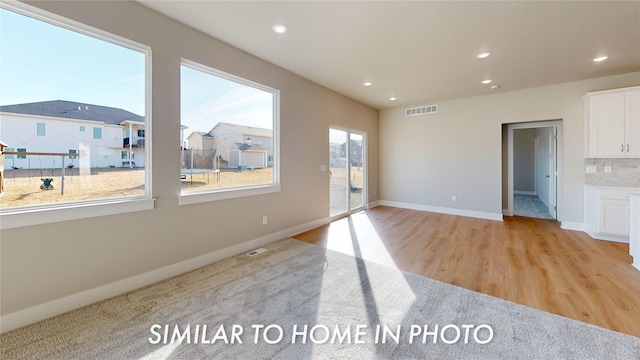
pixel 424 160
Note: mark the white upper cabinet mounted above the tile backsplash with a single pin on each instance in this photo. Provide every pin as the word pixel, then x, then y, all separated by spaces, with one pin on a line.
pixel 613 123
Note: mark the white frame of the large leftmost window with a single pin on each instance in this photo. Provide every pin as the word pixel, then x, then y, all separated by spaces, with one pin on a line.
pixel 56 212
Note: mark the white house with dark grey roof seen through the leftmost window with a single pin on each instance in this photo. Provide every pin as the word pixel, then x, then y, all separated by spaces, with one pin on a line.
pixel 108 136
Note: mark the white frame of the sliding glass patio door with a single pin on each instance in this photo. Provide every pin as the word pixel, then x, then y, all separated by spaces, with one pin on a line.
pixel 365 171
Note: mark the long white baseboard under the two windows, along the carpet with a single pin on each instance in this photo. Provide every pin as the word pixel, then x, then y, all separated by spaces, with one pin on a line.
pixel 40 312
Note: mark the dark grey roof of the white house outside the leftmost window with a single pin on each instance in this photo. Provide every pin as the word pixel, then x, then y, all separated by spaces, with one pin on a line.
pixel 73 110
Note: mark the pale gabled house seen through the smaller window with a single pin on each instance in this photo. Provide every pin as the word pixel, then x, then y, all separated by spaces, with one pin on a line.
pixel 240 145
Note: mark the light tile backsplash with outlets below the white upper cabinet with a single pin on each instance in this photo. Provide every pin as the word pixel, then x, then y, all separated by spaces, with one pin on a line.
pixel 624 172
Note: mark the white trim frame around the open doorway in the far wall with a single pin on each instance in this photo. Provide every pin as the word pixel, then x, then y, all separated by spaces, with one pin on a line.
pixel 557 124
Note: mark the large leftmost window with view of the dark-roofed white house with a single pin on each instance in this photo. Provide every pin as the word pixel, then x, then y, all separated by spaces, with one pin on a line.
pixel 73 51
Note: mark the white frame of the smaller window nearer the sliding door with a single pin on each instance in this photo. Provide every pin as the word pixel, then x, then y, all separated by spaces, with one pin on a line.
pixel 200 196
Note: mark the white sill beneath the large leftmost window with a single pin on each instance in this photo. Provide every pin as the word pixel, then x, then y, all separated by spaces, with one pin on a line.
pixel 74 211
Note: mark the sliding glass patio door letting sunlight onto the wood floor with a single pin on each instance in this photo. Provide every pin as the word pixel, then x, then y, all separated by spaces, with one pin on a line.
pixel 347 165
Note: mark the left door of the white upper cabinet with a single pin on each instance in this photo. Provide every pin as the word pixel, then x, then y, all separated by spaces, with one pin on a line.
pixel 607 125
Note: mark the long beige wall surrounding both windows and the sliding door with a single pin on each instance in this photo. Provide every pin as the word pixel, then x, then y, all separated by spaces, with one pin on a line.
pixel 49 262
